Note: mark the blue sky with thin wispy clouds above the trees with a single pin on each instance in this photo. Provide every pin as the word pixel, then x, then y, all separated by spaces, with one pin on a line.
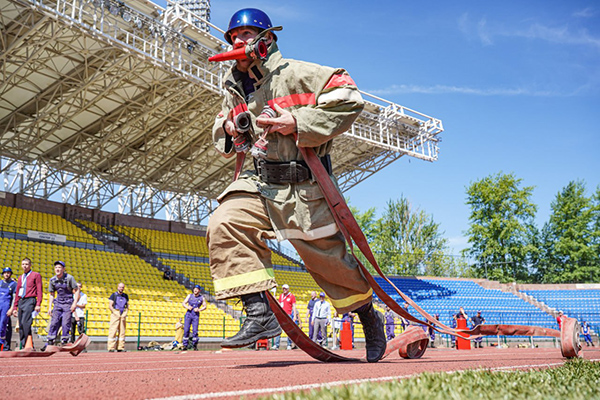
pixel 516 85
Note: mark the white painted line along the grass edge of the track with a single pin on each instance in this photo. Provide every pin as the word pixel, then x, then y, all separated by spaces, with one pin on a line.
pixel 281 389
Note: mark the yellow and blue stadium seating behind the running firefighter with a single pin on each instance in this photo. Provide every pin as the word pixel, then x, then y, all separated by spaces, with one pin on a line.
pixel 156 302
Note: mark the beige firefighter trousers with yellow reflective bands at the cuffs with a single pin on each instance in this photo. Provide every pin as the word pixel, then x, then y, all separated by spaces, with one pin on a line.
pixel 240 260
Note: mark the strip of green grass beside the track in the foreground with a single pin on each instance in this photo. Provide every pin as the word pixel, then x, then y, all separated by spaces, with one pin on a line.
pixel 577 379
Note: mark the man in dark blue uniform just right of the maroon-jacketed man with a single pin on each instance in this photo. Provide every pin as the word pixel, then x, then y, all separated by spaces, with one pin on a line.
pixel 62 302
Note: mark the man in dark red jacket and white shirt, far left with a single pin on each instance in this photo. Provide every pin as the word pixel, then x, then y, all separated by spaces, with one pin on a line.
pixel 28 301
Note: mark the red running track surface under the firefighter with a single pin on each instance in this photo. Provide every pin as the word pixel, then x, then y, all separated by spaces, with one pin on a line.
pixel 205 375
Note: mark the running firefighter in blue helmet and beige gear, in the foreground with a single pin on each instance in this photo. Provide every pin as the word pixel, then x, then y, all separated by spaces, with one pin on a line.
pixel 279 198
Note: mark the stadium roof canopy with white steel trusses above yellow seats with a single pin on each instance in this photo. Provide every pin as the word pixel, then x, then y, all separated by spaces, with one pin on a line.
pixel 105 102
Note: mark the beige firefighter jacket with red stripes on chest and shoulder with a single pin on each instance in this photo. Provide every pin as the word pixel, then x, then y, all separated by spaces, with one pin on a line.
pixel 325 102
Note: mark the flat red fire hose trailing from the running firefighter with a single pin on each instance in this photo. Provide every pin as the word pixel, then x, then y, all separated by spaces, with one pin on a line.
pixel 410 344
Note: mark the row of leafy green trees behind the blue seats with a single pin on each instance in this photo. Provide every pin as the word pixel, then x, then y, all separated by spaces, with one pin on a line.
pixel 504 242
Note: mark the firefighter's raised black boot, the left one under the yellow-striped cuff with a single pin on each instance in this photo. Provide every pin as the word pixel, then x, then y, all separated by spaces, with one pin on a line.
pixel 260 322
